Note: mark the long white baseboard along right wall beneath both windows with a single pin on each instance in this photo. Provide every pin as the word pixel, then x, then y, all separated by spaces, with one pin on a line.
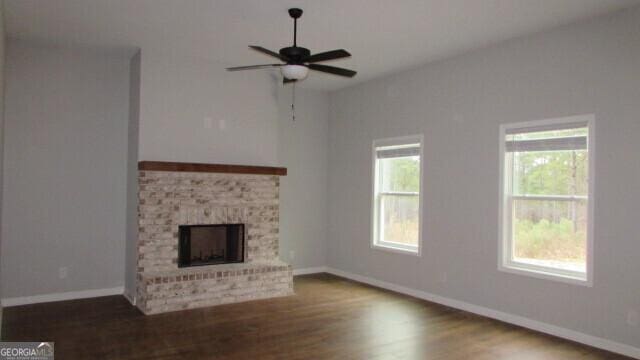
pixel 554 330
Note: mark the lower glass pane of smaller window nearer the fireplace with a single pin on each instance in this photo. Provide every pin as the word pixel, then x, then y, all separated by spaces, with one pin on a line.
pixel 399 217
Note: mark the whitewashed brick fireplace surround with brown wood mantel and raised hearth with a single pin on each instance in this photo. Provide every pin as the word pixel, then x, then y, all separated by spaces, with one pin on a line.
pixel 173 194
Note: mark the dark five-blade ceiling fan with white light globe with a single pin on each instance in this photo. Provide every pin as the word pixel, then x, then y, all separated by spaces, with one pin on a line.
pixel 298 60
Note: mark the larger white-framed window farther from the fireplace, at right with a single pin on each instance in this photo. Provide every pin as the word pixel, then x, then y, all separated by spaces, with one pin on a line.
pixel 546 205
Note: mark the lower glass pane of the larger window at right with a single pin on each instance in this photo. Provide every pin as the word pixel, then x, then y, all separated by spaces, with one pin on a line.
pixel 550 233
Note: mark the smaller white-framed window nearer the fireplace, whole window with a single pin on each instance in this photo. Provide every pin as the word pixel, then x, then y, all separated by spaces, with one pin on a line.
pixel 396 194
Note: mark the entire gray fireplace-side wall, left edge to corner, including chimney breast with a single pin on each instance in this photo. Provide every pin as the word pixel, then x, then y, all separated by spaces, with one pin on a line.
pixel 75 184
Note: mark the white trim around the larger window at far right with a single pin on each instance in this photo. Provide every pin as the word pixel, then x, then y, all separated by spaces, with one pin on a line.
pixel 504 261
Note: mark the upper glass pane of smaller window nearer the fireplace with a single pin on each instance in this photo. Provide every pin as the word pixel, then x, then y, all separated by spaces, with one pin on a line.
pixel 400 174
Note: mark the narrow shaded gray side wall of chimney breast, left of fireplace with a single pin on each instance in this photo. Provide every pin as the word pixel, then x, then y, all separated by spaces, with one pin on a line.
pixel 131 247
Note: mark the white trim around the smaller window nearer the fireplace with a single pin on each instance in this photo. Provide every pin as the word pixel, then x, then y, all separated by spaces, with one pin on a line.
pixel 411 139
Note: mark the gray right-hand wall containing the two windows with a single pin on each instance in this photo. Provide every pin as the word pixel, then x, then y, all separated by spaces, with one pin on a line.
pixel 458 104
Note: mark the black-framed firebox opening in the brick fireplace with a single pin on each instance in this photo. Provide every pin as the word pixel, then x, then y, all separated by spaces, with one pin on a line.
pixel 210 244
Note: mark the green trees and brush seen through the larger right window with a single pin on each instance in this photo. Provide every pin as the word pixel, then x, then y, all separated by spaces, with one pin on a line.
pixel 547 230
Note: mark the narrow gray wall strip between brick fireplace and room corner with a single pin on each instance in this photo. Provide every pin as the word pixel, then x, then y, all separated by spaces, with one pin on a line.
pixel 303 192
